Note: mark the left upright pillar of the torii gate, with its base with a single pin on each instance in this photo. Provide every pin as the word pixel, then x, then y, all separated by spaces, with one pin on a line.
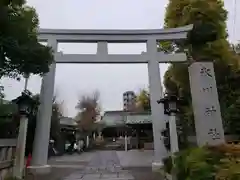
pixel 39 160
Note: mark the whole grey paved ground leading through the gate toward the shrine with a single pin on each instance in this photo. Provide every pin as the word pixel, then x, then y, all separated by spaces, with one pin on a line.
pixel 102 165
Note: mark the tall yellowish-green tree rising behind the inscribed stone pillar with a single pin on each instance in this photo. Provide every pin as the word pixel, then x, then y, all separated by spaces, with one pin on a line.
pixel 209 18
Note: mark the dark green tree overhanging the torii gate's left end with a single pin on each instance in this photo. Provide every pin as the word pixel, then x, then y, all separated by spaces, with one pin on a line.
pixel 20 51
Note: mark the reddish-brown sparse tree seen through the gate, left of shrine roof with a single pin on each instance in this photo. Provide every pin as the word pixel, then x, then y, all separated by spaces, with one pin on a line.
pixel 89 111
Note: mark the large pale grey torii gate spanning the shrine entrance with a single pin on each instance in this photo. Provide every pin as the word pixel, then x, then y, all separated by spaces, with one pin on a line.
pixel 102 37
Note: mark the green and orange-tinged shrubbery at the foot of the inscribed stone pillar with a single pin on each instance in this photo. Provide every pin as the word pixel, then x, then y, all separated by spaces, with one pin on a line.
pixel 206 163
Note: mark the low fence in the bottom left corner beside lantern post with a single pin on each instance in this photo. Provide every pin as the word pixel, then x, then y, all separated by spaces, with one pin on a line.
pixel 7 155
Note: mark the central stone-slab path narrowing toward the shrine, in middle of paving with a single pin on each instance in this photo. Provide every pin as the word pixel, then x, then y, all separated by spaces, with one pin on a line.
pixel 104 165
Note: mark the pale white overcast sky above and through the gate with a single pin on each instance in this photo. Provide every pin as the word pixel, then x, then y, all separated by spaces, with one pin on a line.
pixel 73 80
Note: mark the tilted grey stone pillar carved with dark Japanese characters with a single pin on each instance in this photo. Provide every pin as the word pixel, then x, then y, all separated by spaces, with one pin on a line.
pixel 206 107
